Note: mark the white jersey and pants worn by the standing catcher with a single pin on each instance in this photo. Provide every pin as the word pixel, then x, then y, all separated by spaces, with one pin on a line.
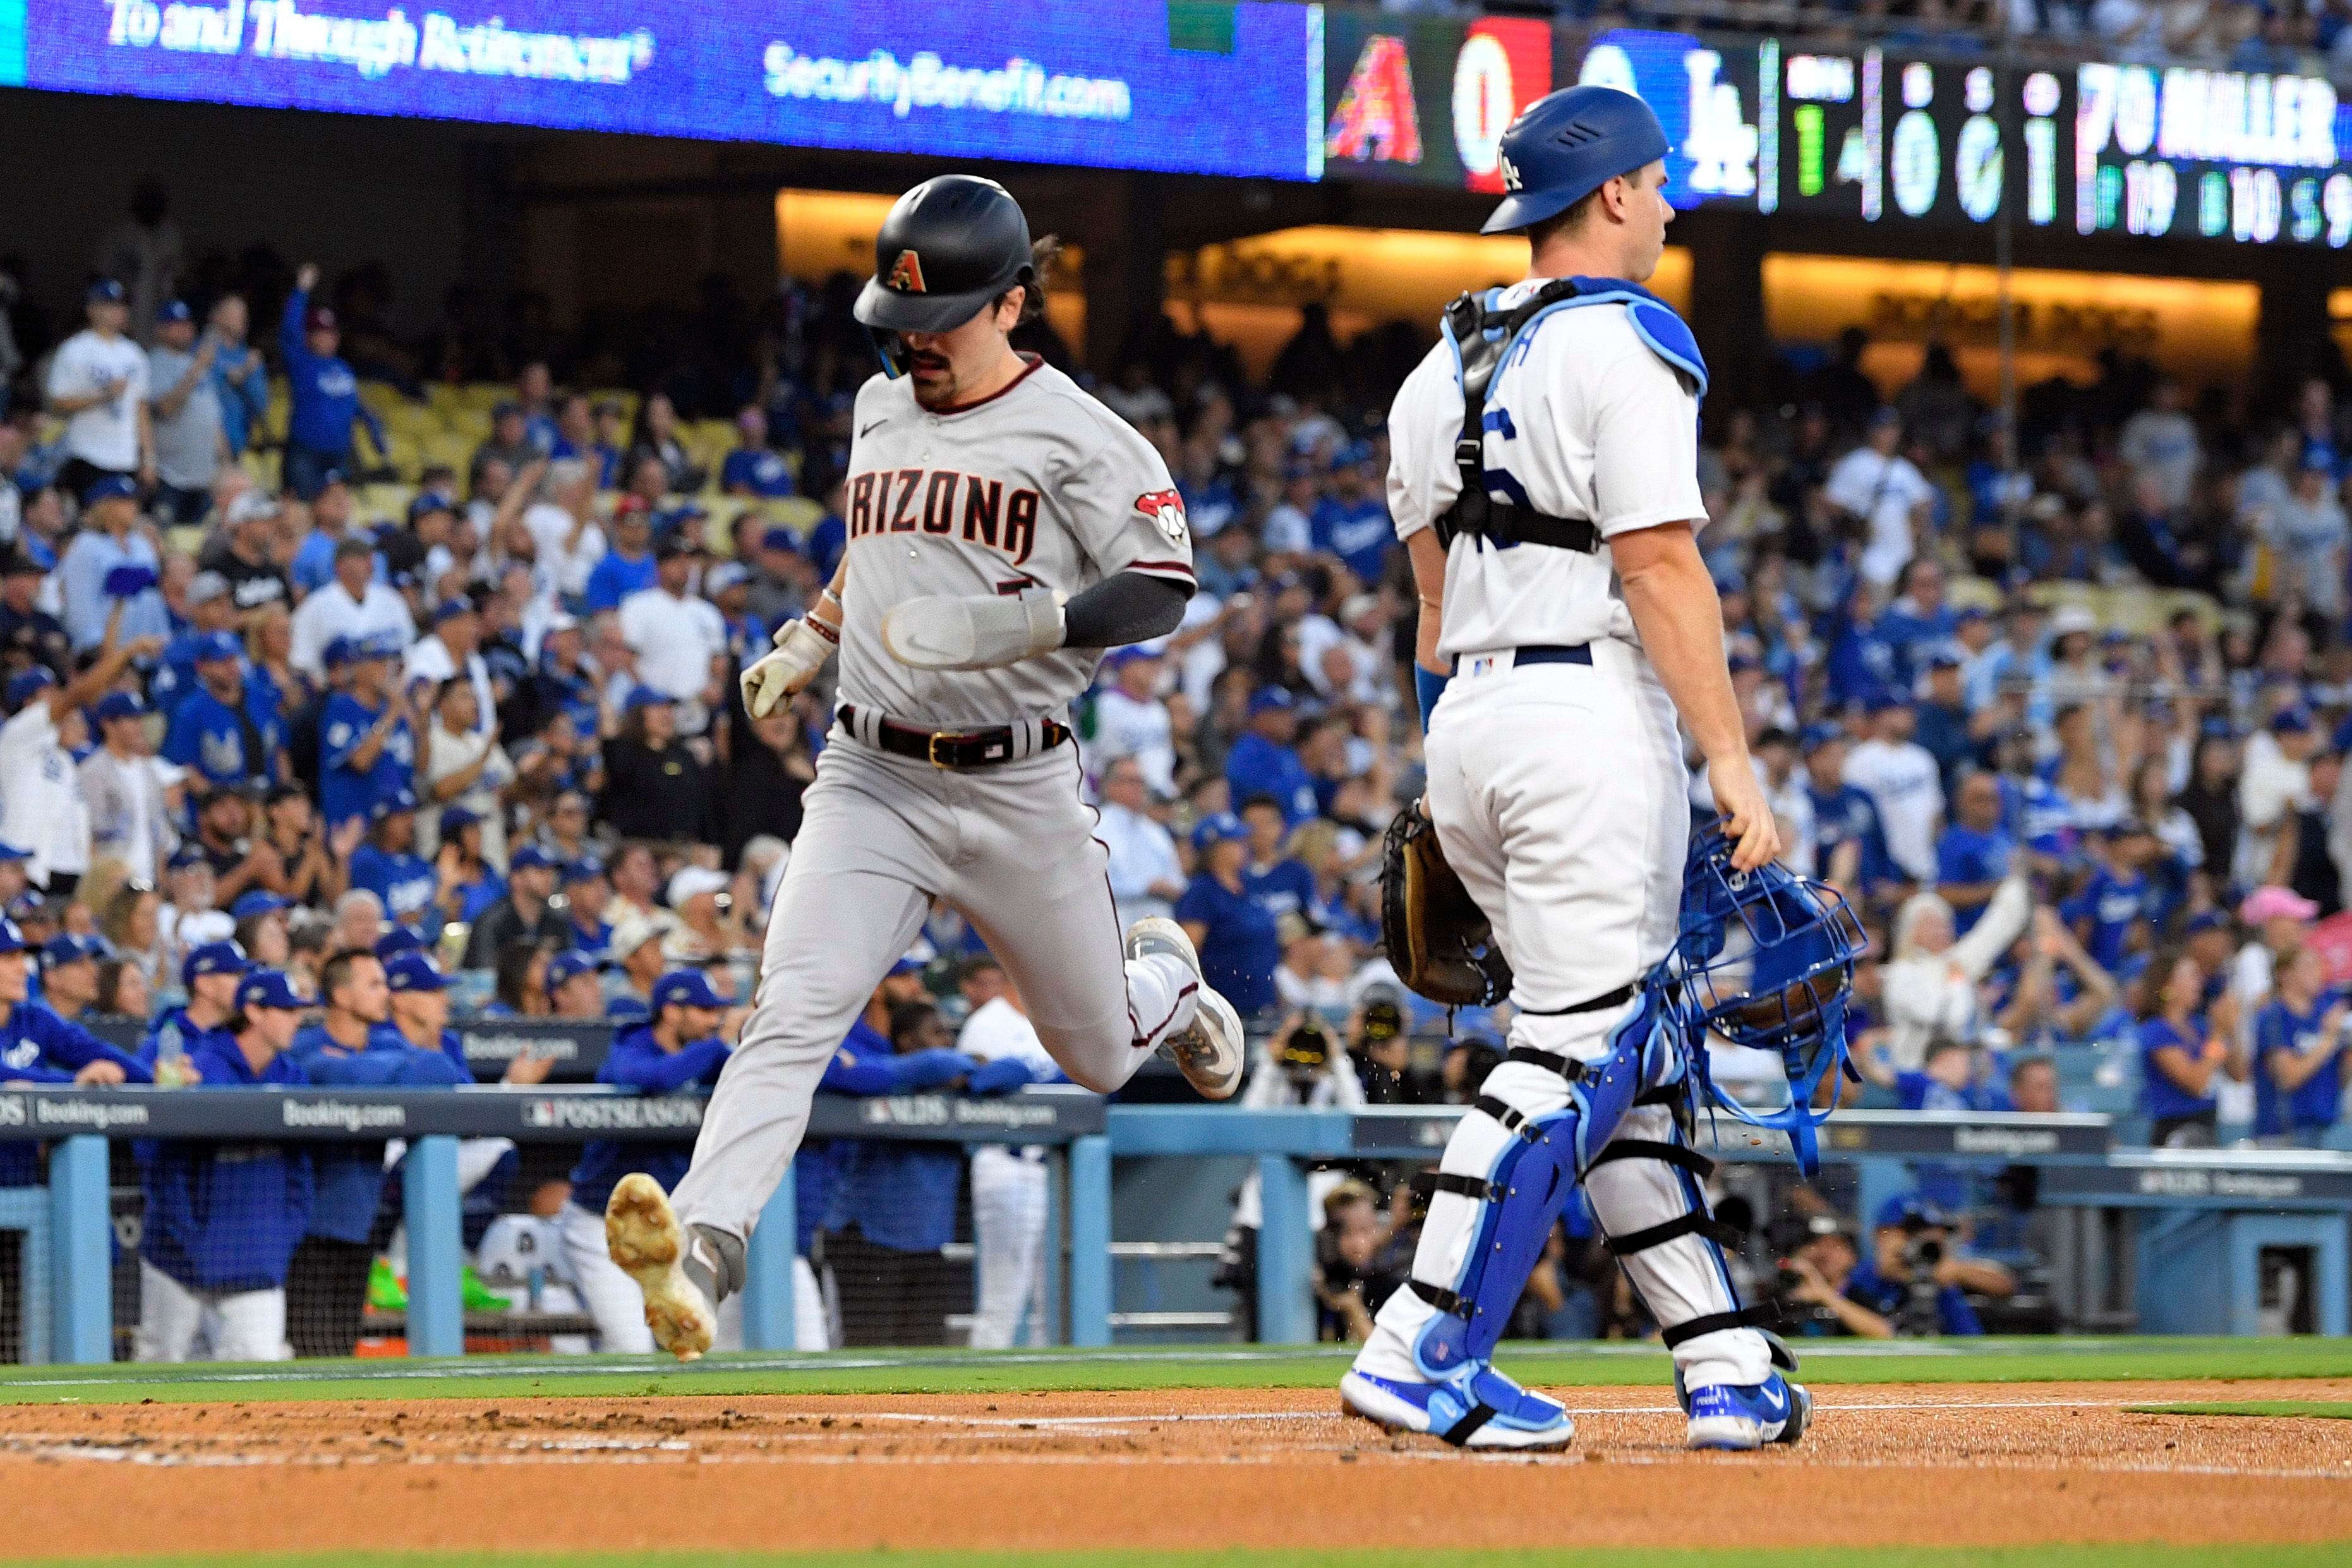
pixel 1556 772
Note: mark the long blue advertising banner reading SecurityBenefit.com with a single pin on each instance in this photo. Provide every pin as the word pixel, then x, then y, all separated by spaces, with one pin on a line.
pixel 1109 83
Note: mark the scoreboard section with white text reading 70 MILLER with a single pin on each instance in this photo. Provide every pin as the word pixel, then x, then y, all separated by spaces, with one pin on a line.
pixel 2212 154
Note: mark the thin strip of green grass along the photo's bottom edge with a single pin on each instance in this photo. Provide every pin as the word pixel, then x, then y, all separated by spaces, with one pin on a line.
pixel 1744 1557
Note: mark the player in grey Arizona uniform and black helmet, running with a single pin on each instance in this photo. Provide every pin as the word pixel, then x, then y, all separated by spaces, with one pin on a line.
pixel 1003 532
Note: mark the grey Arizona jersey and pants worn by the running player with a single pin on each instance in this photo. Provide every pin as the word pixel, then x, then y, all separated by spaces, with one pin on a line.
pixel 1038 485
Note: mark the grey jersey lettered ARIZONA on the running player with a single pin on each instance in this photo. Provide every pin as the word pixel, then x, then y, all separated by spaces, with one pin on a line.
pixel 1034 485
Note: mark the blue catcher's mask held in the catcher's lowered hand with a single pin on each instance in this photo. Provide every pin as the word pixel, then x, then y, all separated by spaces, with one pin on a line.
pixel 1765 960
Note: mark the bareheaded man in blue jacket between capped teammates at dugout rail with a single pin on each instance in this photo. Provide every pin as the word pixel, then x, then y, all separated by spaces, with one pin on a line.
pixel 352 1045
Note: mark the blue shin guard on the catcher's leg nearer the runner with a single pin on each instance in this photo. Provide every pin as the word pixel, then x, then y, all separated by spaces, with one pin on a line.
pixel 1523 1186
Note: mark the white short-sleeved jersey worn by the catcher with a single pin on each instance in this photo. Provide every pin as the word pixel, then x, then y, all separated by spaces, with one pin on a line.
pixel 1584 420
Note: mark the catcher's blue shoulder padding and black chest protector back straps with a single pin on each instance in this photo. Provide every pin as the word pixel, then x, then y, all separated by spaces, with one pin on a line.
pixel 1483 340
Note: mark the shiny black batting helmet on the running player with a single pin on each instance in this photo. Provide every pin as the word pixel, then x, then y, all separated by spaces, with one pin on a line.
pixel 947 250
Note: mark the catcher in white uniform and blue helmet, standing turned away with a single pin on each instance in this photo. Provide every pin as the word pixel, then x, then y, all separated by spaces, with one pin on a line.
pixel 1565 596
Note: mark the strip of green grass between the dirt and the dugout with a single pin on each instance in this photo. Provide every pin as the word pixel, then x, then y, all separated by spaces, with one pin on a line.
pixel 1241 1367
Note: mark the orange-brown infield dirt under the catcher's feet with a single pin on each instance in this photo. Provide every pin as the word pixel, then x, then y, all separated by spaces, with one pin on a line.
pixel 1885 1466
